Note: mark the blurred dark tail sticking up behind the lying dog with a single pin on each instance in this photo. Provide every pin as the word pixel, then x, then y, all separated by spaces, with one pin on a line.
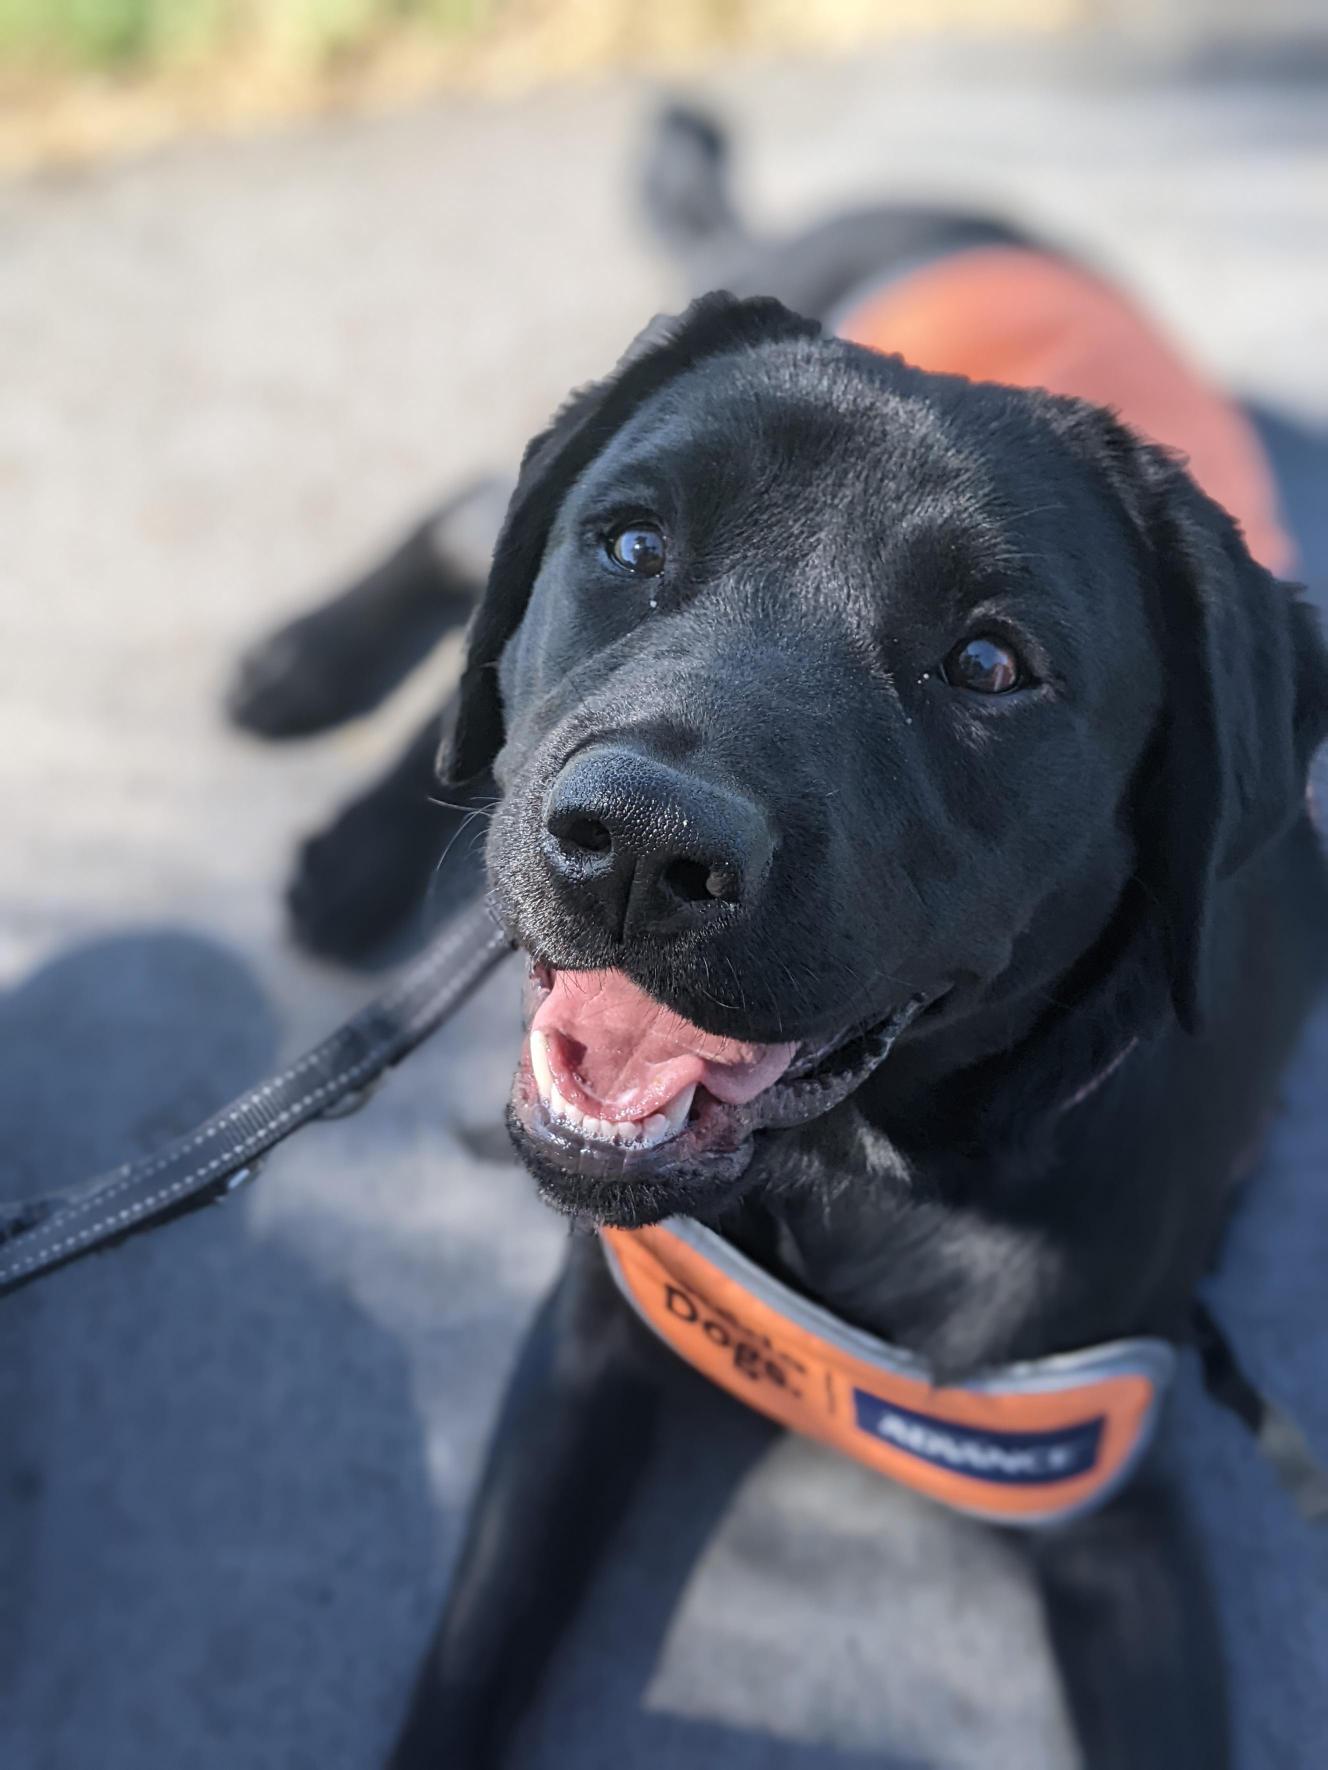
pixel 686 185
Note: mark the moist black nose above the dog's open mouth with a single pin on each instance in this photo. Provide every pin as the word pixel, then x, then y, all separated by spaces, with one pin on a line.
pixel 652 847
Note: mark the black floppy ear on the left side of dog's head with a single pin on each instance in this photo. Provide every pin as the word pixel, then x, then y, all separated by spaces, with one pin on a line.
pixel 713 327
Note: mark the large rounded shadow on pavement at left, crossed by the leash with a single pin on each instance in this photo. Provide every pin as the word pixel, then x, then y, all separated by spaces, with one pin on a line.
pixel 212 1466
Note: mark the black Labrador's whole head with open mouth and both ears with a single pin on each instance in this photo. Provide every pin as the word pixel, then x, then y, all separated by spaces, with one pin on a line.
pixel 826 693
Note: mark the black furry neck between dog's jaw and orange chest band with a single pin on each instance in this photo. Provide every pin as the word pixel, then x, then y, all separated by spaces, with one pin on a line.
pixel 909 1210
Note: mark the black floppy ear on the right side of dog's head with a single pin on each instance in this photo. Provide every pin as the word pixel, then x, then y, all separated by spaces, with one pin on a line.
pixel 1246 709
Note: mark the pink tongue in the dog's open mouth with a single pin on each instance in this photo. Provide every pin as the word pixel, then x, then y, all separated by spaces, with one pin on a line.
pixel 633 1056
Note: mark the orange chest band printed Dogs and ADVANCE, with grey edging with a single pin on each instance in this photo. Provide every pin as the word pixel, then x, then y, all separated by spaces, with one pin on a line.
pixel 1024 1445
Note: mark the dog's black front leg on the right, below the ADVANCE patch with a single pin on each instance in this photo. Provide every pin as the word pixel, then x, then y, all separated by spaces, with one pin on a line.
pixel 1136 1636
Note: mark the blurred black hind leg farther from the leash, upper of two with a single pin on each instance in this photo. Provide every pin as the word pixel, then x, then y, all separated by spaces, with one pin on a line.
pixel 348 656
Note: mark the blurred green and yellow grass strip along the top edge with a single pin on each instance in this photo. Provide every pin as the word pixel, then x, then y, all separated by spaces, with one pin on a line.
pixel 84 79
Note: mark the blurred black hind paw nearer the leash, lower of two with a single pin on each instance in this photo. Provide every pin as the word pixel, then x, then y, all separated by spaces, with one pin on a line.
pixel 360 881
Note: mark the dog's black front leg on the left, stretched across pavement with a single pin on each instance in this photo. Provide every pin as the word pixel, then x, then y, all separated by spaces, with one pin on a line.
pixel 569 1445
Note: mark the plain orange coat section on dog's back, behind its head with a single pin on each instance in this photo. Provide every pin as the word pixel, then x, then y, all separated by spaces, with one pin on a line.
pixel 1033 321
